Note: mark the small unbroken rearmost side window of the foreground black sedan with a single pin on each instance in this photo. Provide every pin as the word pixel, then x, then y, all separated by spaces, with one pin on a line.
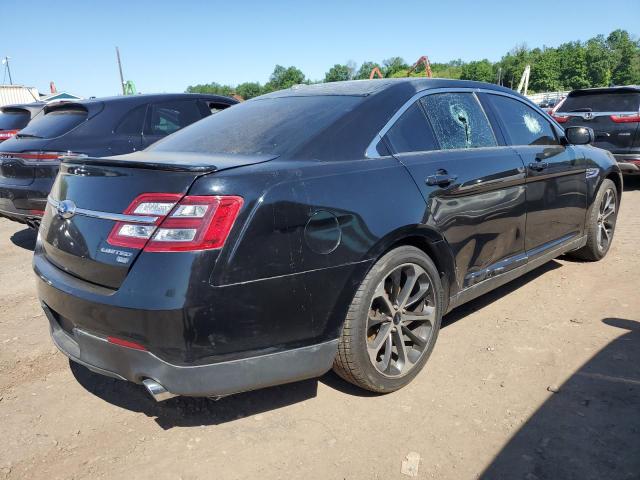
pixel 411 132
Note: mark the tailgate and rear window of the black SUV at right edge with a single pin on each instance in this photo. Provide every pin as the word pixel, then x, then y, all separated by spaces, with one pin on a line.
pixel 612 114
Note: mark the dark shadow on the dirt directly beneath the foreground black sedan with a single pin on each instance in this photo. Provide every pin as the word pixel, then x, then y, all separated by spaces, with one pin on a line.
pixel 185 411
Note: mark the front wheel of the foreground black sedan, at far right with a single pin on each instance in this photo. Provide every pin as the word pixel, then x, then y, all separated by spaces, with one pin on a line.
pixel 597 228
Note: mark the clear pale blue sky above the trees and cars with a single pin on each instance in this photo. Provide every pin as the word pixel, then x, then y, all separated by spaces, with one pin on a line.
pixel 169 45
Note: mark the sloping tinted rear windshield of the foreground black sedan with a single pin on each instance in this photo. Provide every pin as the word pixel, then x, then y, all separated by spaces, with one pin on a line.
pixel 261 126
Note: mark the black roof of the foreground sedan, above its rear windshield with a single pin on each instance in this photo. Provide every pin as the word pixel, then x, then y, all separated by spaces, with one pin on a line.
pixel 370 87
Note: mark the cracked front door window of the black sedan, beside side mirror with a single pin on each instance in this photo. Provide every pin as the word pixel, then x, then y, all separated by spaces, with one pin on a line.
pixel 523 125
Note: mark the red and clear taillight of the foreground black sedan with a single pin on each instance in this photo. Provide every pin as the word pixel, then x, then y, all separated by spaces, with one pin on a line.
pixel 193 223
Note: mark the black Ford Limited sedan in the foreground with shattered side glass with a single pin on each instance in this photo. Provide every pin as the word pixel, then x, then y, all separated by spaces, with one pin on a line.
pixel 324 225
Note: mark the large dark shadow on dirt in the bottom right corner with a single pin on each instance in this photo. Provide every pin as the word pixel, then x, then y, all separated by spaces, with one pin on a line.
pixel 590 428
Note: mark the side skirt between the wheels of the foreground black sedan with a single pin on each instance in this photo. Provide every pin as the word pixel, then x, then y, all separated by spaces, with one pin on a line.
pixel 532 263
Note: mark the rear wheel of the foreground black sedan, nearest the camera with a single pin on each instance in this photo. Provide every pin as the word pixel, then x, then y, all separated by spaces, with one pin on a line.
pixel 358 339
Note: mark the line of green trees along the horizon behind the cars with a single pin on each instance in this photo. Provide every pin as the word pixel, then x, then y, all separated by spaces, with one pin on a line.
pixel 600 61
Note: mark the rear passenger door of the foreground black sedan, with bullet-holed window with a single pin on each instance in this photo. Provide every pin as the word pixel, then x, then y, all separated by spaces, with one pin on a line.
pixel 473 186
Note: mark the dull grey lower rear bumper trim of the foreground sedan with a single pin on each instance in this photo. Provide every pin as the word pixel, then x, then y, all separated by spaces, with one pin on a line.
pixel 216 379
